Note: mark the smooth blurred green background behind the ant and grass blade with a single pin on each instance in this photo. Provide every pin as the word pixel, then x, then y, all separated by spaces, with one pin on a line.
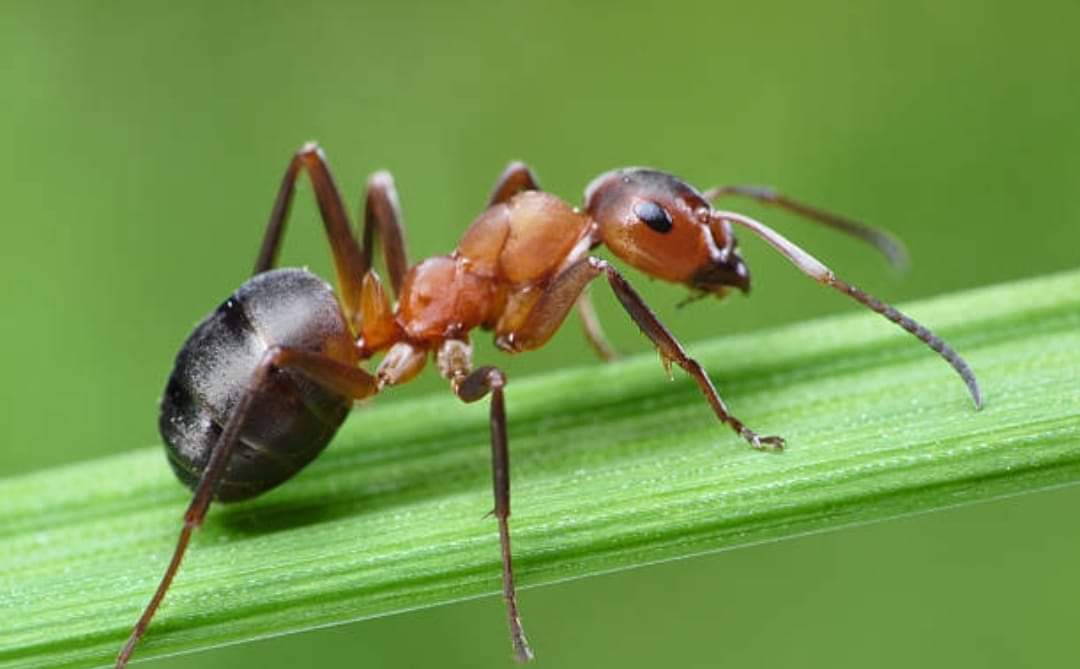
pixel 144 142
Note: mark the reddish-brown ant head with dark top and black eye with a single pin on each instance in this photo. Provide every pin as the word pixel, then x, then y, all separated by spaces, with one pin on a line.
pixel 666 229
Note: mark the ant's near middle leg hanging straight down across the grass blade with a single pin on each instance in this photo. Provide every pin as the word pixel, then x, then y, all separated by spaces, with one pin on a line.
pixel 455 363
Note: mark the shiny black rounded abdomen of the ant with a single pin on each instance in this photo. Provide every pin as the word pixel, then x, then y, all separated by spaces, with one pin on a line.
pixel 292 419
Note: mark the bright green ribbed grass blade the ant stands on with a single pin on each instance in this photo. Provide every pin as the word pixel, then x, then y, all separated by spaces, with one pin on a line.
pixel 613 469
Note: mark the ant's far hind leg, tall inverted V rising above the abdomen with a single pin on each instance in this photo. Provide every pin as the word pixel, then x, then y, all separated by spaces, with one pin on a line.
pixel 349 262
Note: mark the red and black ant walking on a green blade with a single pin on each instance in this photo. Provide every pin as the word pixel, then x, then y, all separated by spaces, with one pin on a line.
pixel 264 382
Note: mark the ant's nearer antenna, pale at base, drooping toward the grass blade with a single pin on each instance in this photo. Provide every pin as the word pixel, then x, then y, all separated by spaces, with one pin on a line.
pixel 814 269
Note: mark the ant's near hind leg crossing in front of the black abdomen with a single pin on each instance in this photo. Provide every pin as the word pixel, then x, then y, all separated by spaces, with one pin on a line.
pixel 353 382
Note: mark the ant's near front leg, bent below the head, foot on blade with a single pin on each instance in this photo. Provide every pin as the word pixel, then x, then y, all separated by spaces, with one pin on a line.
pixel 552 307
